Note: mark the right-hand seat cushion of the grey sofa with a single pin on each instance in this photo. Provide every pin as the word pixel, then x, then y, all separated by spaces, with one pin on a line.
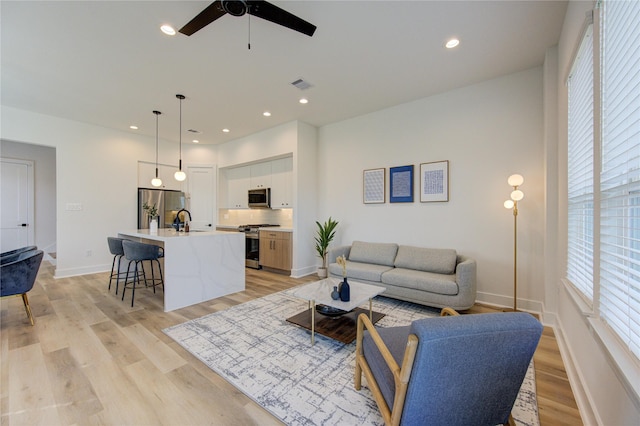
pixel 419 280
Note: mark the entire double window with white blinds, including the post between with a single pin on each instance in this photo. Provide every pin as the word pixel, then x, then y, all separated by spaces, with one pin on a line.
pixel 604 171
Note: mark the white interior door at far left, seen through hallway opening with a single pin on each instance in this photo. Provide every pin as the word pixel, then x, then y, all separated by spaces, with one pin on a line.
pixel 16 209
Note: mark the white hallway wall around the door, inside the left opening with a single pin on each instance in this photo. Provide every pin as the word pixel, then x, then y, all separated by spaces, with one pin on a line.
pixel 44 164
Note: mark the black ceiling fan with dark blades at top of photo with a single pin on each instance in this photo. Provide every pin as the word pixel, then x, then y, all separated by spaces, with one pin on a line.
pixel 259 8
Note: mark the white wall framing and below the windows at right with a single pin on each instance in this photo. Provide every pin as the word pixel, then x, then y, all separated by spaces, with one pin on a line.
pixel 597 379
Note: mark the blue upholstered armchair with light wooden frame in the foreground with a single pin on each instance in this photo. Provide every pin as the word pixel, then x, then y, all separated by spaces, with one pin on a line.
pixel 453 370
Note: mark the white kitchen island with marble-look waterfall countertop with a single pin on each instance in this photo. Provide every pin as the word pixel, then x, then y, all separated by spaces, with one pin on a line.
pixel 198 265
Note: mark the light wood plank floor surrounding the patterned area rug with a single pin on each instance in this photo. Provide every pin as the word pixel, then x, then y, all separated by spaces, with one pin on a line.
pixel 92 359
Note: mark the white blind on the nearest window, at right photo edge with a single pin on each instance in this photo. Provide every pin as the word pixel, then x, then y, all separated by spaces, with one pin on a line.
pixel 620 175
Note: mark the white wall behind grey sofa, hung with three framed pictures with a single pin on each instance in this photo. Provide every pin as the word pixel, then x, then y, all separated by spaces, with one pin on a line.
pixel 487 131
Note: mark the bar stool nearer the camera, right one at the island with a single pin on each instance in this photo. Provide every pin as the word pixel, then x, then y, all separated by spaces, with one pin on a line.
pixel 137 253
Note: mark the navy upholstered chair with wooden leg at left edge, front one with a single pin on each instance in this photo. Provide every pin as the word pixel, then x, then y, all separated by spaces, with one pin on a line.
pixel 18 273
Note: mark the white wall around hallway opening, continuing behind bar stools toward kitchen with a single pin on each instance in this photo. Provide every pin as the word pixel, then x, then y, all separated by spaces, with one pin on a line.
pixel 97 167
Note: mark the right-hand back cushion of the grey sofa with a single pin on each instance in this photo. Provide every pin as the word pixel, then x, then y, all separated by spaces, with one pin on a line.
pixel 441 261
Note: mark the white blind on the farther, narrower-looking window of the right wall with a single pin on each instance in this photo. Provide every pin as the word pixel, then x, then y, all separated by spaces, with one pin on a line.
pixel 580 170
